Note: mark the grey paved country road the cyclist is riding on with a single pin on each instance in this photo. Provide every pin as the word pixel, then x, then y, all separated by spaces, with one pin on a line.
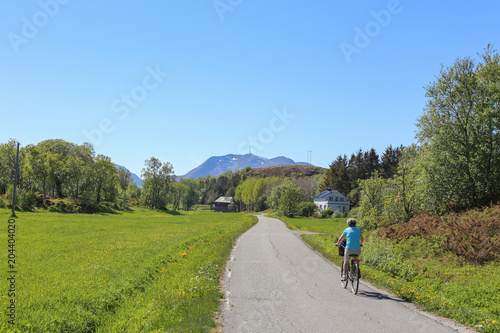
pixel 275 283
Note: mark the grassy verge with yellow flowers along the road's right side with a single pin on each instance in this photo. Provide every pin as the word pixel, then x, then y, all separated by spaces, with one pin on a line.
pixel 442 284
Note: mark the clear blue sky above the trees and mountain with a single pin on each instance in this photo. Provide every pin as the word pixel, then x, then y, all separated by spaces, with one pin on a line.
pixel 323 76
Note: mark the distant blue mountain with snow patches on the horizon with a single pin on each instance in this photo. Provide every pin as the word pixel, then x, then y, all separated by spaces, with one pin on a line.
pixel 217 165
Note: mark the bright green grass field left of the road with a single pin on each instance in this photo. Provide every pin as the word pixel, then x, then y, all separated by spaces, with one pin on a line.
pixel 140 271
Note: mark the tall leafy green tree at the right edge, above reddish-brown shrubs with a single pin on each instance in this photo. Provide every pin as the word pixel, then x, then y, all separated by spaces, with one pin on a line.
pixel 460 135
